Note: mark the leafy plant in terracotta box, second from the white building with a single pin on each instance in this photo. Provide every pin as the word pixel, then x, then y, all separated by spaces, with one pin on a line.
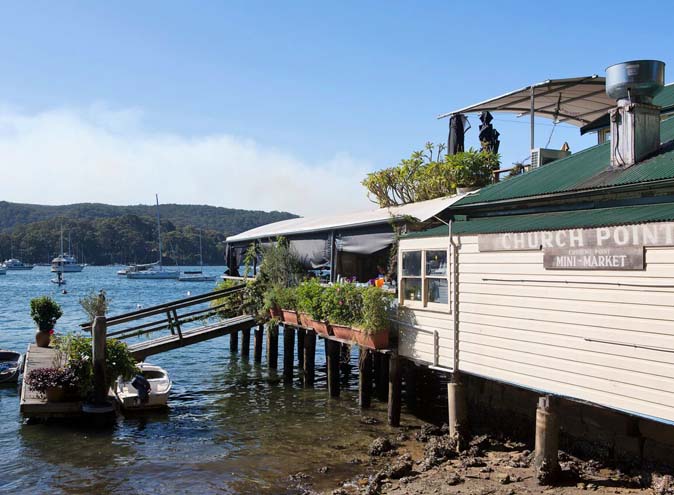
pixel 342 307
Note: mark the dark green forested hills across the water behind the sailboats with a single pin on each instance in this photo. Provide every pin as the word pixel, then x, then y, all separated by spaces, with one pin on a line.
pixel 104 234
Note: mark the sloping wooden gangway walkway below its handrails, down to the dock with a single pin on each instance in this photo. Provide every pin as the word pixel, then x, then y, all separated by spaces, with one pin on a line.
pixel 141 350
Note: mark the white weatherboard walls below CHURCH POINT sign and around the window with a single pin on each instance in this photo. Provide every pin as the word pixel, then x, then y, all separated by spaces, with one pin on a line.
pixel 603 336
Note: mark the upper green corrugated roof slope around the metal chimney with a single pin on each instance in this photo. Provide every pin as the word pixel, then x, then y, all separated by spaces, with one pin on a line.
pixel 585 170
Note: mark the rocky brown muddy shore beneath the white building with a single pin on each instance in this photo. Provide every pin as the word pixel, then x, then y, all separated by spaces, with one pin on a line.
pixel 425 461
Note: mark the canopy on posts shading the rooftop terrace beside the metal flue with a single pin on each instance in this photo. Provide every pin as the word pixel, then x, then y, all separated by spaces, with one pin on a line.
pixel 576 101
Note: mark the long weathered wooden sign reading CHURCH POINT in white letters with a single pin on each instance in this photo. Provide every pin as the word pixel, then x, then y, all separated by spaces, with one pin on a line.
pixel 624 236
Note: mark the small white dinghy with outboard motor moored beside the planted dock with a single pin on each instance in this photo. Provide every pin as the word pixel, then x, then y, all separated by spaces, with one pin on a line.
pixel 150 390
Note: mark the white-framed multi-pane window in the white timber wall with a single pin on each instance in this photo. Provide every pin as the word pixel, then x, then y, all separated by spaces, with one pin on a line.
pixel 424 278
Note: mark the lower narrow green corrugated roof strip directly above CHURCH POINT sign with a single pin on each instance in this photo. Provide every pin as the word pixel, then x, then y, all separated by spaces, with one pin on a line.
pixel 598 217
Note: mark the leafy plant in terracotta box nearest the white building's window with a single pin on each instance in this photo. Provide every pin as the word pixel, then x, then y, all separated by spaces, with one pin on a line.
pixel 372 329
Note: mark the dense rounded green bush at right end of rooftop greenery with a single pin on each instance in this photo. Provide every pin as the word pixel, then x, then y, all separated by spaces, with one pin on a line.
pixel 472 169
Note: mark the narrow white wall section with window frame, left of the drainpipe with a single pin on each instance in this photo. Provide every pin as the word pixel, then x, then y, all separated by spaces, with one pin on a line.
pixel 425 328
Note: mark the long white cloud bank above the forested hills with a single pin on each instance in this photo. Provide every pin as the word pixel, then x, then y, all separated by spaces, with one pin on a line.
pixel 99 154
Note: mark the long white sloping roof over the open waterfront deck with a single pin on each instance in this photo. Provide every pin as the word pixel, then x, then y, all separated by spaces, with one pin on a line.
pixel 421 211
